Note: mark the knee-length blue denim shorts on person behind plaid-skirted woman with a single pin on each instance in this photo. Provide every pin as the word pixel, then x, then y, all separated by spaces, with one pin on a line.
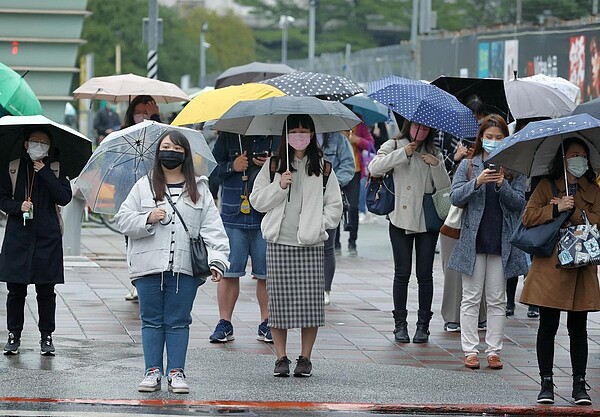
pixel 244 243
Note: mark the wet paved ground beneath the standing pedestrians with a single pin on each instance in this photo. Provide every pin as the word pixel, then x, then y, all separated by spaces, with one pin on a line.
pixel 357 367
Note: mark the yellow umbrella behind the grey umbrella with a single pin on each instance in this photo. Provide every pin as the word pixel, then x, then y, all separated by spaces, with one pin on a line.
pixel 213 104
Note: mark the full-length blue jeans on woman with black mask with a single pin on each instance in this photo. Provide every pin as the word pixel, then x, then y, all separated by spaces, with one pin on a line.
pixel 166 315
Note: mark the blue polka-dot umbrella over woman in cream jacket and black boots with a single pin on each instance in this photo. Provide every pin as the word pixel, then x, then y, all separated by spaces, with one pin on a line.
pixel 424 103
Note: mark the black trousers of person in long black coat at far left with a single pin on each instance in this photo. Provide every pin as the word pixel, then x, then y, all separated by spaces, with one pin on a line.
pixel 15 307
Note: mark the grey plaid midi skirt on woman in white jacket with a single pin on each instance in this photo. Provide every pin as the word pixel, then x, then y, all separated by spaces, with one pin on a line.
pixel 295 286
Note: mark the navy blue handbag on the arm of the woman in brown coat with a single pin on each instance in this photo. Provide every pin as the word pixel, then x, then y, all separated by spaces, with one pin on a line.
pixel 539 240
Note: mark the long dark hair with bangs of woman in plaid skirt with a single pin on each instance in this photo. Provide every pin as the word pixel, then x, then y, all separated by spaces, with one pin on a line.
pixel 314 154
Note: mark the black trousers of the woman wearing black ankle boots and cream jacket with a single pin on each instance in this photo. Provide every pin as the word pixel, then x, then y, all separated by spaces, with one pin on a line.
pixel 402 248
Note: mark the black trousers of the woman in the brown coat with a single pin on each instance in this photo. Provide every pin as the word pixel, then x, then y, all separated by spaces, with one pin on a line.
pixel 577 328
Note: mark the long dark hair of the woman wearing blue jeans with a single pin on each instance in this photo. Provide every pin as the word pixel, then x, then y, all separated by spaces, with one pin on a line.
pixel 158 176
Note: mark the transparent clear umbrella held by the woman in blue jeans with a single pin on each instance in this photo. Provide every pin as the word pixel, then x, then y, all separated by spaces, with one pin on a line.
pixel 125 156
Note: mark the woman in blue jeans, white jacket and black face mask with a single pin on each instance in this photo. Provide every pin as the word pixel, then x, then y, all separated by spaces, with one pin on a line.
pixel 159 255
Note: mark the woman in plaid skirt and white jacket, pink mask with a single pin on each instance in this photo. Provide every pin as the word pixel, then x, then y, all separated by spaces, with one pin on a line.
pixel 301 202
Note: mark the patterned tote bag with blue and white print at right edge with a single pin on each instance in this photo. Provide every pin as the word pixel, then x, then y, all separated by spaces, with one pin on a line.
pixel 579 245
